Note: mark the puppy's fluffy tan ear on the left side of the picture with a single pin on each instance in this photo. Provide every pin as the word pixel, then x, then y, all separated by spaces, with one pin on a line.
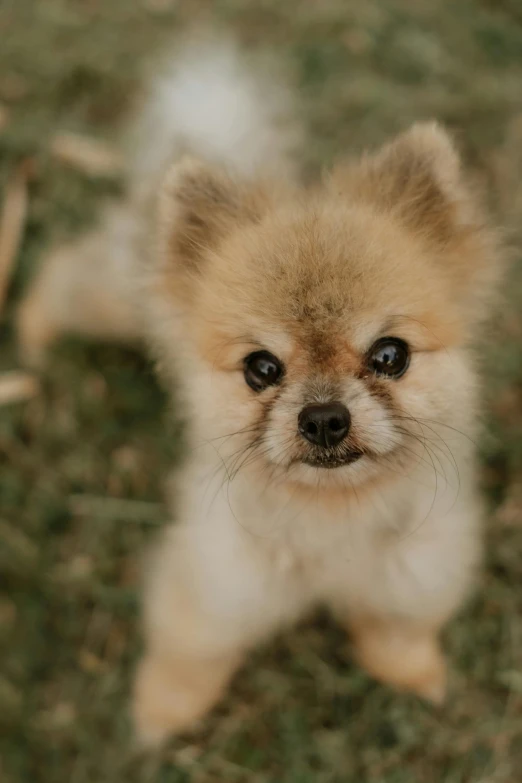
pixel 199 205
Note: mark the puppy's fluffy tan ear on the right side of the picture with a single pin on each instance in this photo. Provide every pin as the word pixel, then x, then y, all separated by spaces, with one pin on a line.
pixel 417 178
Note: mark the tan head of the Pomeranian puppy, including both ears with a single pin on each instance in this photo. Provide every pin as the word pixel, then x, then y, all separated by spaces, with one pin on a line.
pixel 325 330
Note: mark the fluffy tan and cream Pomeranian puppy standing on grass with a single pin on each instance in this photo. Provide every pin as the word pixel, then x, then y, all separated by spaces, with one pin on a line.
pixel 319 341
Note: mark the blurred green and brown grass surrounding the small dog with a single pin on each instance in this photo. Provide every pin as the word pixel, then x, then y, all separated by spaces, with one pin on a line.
pixel 300 712
